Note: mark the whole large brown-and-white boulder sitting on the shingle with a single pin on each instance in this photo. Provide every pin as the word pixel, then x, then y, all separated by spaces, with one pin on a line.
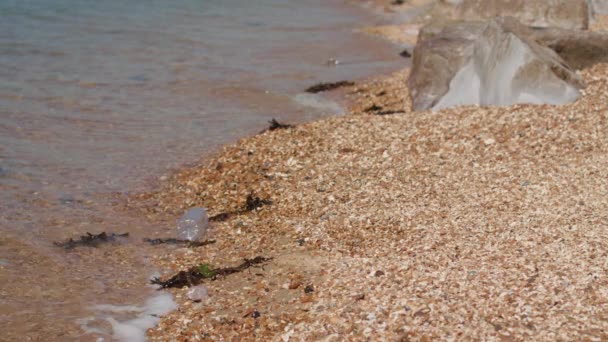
pixel 490 63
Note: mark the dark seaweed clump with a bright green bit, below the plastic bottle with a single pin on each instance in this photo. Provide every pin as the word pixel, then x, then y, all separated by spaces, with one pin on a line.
pixel 195 275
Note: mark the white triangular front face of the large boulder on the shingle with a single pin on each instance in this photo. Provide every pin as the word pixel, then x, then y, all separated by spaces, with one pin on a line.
pixel 506 68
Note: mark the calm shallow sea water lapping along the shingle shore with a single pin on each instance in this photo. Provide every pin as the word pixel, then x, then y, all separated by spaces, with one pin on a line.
pixel 101 97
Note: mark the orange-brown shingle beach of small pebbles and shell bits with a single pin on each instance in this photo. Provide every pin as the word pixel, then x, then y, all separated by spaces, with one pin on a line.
pixel 468 223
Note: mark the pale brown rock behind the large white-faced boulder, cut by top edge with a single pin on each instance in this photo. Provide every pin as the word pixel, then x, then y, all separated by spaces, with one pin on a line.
pixel 570 14
